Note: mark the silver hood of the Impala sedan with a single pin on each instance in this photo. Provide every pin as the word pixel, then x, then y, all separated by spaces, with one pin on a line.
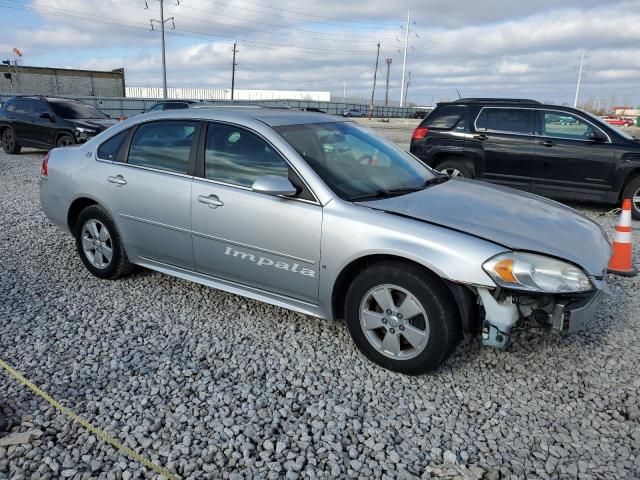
pixel 511 218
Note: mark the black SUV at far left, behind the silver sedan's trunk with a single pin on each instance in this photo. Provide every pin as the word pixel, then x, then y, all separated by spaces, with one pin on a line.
pixel 47 122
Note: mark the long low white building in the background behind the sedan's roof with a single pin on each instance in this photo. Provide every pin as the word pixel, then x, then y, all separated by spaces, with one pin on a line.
pixel 225 94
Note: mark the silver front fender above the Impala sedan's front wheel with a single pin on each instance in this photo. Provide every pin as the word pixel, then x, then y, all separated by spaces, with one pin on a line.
pixel 351 233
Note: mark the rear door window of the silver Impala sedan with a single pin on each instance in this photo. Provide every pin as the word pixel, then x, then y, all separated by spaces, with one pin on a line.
pixel 163 145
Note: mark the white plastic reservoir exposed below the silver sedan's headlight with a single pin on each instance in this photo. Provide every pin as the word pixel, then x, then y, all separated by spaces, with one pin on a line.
pixel 500 318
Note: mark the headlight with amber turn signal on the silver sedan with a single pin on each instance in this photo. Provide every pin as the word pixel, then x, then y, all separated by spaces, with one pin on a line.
pixel 536 273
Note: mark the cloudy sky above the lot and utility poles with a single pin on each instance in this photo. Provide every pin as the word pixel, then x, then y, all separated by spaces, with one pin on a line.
pixel 519 48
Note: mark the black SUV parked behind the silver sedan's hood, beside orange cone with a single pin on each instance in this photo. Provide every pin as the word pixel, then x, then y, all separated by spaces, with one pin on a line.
pixel 558 152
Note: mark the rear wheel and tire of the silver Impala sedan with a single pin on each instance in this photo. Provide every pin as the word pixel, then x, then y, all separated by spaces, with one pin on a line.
pixel 99 244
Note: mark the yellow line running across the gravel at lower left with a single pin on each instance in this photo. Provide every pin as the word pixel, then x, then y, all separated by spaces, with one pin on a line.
pixel 101 434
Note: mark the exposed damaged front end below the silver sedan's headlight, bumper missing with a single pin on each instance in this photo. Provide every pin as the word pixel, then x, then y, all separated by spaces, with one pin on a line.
pixel 504 312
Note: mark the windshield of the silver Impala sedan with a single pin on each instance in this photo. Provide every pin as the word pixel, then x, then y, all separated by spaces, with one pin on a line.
pixel 354 162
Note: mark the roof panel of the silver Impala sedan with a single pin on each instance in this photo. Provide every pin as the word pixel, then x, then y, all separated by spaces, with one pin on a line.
pixel 271 117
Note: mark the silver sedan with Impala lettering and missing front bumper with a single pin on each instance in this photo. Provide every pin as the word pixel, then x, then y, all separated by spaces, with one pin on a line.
pixel 320 215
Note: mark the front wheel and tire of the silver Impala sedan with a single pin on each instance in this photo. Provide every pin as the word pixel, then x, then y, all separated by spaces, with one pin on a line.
pixel 401 318
